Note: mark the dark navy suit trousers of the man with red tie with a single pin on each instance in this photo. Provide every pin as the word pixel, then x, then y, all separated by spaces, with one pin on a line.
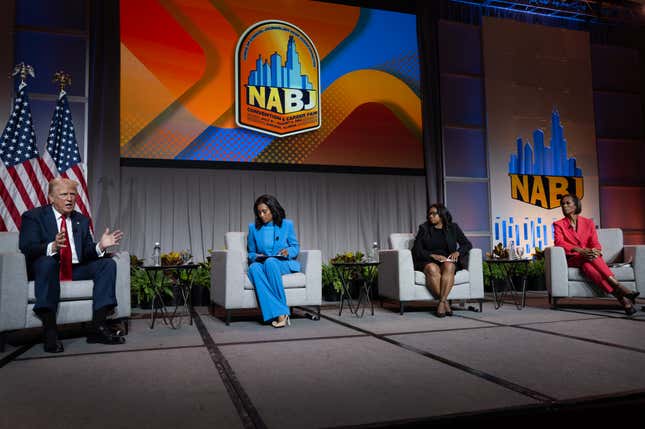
pixel 47 284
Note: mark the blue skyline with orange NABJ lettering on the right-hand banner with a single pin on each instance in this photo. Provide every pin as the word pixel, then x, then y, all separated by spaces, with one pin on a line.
pixel 540 174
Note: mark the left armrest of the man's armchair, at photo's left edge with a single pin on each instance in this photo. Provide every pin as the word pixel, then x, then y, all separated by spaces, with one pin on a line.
pixel 13 291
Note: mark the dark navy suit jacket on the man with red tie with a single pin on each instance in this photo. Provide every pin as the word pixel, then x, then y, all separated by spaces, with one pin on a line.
pixel 39 228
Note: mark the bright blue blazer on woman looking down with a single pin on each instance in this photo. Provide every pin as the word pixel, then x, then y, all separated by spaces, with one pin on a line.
pixel 285 238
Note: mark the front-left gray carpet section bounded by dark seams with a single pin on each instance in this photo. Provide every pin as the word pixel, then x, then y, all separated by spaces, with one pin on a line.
pixel 150 389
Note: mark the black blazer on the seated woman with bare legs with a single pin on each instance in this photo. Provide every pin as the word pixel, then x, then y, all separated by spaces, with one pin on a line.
pixel 454 236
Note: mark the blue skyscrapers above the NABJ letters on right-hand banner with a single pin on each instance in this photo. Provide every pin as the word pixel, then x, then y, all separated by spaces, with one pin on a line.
pixel 541 160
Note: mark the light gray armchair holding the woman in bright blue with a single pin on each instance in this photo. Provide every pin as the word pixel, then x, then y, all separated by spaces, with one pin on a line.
pixel 232 289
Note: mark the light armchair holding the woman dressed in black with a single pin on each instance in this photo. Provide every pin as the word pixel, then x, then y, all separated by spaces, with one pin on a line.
pixel 398 280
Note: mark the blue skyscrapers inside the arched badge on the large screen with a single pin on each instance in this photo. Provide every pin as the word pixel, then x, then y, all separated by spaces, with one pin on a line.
pixel 273 73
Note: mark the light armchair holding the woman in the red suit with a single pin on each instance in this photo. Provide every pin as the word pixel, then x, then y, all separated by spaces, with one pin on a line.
pixel 565 282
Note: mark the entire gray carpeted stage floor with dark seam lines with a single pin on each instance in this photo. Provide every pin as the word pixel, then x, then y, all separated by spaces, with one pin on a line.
pixel 375 371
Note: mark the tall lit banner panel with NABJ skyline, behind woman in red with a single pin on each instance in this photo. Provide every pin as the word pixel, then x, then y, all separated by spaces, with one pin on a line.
pixel 540 128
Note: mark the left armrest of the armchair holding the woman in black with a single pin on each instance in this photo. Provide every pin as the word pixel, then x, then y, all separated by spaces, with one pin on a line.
pixel 396 274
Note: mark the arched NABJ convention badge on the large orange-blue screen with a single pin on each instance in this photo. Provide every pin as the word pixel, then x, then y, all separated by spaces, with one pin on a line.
pixel 277 80
